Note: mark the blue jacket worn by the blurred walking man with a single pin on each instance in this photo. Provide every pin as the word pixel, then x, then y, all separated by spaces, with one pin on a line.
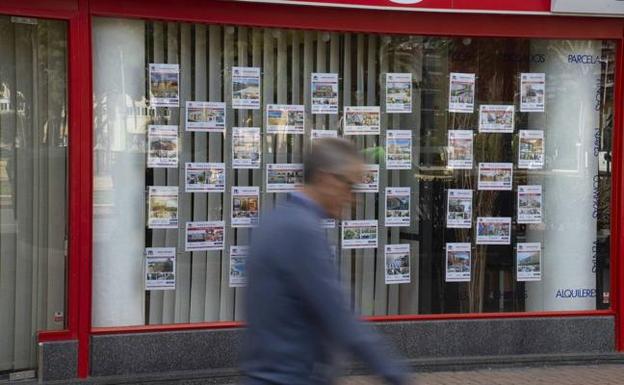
pixel 295 303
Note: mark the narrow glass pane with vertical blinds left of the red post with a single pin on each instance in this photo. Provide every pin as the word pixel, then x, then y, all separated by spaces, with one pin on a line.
pixel 33 185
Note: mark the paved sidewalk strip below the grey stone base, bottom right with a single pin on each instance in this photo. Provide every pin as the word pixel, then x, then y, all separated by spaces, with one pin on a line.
pixel 556 375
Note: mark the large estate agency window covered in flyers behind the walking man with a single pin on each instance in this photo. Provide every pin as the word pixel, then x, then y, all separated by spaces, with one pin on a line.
pixel 488 166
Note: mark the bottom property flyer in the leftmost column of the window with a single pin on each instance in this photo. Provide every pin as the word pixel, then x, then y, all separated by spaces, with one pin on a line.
pixel 160 268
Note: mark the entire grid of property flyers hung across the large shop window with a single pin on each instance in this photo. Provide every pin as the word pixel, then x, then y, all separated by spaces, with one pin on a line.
pixel 163 142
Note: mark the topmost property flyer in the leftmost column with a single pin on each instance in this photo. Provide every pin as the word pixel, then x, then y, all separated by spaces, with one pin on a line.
pixel 164 85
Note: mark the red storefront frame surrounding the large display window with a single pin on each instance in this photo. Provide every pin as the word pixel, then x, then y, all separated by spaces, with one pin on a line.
pixel 78 14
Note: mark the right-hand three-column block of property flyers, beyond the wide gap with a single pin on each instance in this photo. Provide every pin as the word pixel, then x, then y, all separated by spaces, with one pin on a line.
pixel 494 119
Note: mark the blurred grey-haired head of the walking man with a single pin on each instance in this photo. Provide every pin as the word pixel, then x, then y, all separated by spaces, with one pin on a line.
pixel 331 168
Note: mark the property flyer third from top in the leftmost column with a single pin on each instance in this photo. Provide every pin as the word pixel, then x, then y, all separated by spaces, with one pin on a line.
pixel 162 207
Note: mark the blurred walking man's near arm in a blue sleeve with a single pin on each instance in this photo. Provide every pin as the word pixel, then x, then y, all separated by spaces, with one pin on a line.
pixel 316 280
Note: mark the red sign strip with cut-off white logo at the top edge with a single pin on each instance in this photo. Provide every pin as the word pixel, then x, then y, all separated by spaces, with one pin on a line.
pixel 506 6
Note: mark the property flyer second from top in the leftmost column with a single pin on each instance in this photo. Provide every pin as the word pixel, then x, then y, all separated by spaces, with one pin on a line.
pixel 162 142
